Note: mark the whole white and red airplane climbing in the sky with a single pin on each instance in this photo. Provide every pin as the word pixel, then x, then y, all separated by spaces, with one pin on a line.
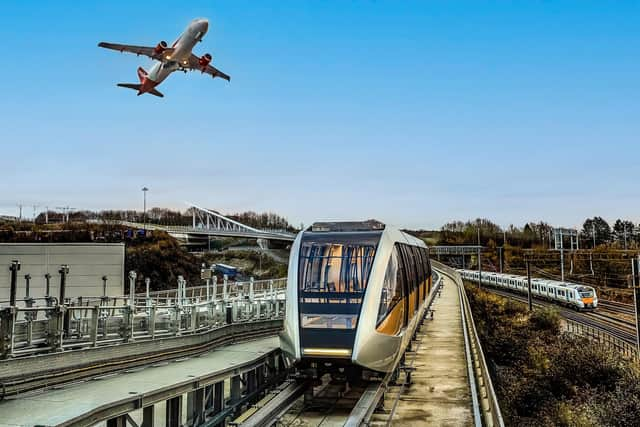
pixel 178 57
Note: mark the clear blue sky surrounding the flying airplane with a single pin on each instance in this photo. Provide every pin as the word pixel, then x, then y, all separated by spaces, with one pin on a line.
pixel 414 113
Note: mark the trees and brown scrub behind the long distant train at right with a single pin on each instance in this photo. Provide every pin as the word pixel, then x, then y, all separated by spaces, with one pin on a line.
pixel 603 261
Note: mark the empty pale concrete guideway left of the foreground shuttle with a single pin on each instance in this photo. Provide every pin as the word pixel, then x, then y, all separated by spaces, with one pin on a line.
pixel 107 398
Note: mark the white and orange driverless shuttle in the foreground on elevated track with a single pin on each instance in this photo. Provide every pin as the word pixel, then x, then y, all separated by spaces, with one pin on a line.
pixel 354 290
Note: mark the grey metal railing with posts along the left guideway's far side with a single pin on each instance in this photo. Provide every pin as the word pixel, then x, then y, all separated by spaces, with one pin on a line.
pixel 101 321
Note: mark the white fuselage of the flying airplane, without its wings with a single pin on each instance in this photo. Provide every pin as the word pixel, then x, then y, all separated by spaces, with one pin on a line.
pixel 182 48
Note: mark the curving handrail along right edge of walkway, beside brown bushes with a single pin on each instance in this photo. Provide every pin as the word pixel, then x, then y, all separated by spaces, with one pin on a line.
pixel 492 416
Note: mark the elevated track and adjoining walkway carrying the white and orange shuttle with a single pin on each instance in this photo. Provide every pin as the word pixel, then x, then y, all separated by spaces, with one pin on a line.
pixel 383 400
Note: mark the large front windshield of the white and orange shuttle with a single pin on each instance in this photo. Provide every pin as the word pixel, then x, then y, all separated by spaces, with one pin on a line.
pixel 333 273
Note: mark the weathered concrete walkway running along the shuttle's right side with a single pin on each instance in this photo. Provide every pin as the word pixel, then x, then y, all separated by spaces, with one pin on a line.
pixel 440 392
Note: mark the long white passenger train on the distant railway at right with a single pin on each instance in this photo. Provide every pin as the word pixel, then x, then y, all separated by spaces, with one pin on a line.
pixel 570 294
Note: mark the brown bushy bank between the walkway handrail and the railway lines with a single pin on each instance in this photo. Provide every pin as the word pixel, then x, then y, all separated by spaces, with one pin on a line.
pixel 546 377
